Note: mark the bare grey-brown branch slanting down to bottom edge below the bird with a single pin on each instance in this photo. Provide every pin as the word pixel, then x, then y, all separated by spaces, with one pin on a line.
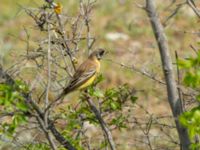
pixel 102 123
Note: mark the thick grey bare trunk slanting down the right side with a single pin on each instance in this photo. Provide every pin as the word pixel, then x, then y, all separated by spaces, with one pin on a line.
pixel 168 72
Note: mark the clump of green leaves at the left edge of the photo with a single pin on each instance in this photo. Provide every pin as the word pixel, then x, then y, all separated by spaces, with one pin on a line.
pixel 13 104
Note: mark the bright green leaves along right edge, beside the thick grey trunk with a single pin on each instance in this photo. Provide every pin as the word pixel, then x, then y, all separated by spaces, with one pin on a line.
pixel 191 119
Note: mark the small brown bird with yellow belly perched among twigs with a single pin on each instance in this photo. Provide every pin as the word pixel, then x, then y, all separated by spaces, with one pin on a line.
pixel 86 73
